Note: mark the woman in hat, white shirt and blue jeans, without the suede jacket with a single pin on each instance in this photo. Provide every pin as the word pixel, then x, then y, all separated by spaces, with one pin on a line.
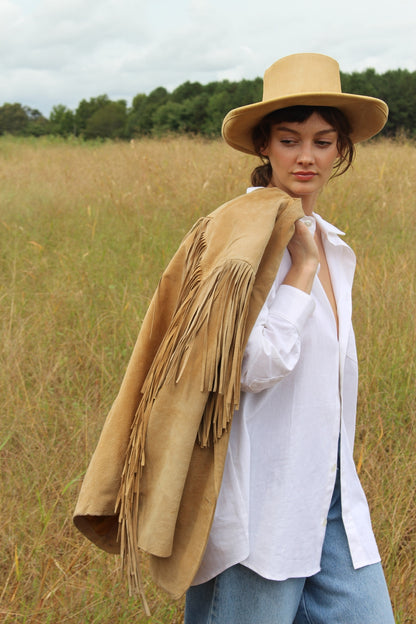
pixel 282 548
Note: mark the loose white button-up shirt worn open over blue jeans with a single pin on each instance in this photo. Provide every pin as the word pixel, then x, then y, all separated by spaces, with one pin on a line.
pixel 299 381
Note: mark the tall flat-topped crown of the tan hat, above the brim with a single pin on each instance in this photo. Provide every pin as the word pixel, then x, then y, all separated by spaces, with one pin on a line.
pixel 301 74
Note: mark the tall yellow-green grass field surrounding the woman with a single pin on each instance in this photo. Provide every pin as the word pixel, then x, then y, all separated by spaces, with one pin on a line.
pixel 86 230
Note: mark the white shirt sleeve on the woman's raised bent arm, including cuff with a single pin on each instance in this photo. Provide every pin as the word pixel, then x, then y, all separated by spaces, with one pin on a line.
pixel 273 347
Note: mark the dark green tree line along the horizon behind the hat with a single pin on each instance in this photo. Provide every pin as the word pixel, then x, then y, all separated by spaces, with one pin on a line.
pixel 196 109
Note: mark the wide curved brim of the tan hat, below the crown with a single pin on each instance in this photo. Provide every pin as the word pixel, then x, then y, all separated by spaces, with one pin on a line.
pixel 367 116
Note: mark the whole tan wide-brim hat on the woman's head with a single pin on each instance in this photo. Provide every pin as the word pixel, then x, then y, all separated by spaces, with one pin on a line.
pixel 304 79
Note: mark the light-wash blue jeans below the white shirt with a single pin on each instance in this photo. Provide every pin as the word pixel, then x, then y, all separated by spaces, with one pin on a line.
pixel 338 594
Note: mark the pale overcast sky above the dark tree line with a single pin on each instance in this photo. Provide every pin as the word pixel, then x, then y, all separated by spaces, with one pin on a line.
pixel 62 51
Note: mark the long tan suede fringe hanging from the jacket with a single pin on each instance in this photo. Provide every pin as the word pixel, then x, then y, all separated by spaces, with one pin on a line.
pixel 215 309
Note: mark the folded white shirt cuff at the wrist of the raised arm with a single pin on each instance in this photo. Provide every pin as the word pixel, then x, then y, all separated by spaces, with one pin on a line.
pixel 292 304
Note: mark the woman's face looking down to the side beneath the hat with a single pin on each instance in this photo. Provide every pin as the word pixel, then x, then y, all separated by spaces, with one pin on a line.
pixel 302 156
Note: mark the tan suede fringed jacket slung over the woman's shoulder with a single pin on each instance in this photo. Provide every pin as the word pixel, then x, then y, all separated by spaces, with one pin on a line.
pixel 154 478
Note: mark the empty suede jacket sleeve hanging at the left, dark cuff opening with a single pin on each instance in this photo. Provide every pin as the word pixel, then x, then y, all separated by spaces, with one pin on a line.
pixel 95 514
